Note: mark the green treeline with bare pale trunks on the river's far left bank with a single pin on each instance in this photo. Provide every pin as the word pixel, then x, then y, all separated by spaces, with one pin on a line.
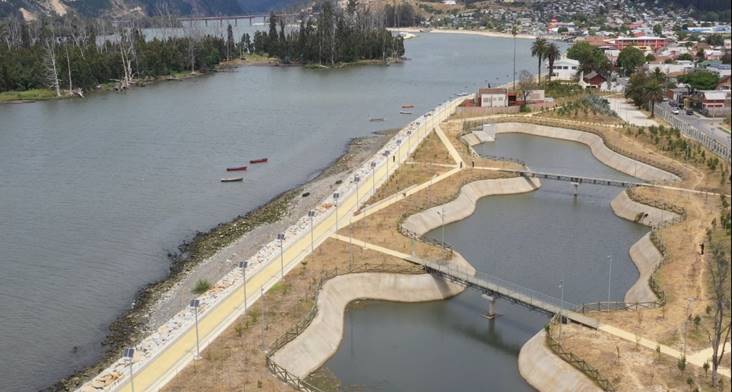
pixel 62 57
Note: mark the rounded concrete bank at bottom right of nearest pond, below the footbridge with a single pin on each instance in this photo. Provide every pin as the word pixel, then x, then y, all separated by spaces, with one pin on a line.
pixel 545 371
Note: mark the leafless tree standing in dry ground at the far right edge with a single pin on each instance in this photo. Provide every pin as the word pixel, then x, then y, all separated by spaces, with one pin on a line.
pixel 719 271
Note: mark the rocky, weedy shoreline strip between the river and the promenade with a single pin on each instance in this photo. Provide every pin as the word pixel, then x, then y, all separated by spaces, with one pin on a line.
pixel 156 302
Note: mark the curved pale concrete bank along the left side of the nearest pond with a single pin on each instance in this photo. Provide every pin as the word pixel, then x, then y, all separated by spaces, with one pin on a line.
pixel 321 339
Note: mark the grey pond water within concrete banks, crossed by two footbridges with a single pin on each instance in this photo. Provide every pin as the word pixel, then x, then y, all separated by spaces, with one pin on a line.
pixel 537 240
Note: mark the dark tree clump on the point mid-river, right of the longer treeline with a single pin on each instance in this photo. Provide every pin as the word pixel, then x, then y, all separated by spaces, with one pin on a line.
pixel 333 36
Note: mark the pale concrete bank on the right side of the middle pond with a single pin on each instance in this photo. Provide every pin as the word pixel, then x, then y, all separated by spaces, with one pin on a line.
pixel 644 254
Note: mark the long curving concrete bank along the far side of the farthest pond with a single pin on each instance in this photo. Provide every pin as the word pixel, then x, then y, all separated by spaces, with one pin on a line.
pixel 597 146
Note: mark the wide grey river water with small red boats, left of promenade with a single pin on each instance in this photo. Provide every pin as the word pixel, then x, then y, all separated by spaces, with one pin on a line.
pixel 95 192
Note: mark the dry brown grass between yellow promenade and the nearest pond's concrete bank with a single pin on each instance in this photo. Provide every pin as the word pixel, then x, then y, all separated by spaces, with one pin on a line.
pixel 235 361
